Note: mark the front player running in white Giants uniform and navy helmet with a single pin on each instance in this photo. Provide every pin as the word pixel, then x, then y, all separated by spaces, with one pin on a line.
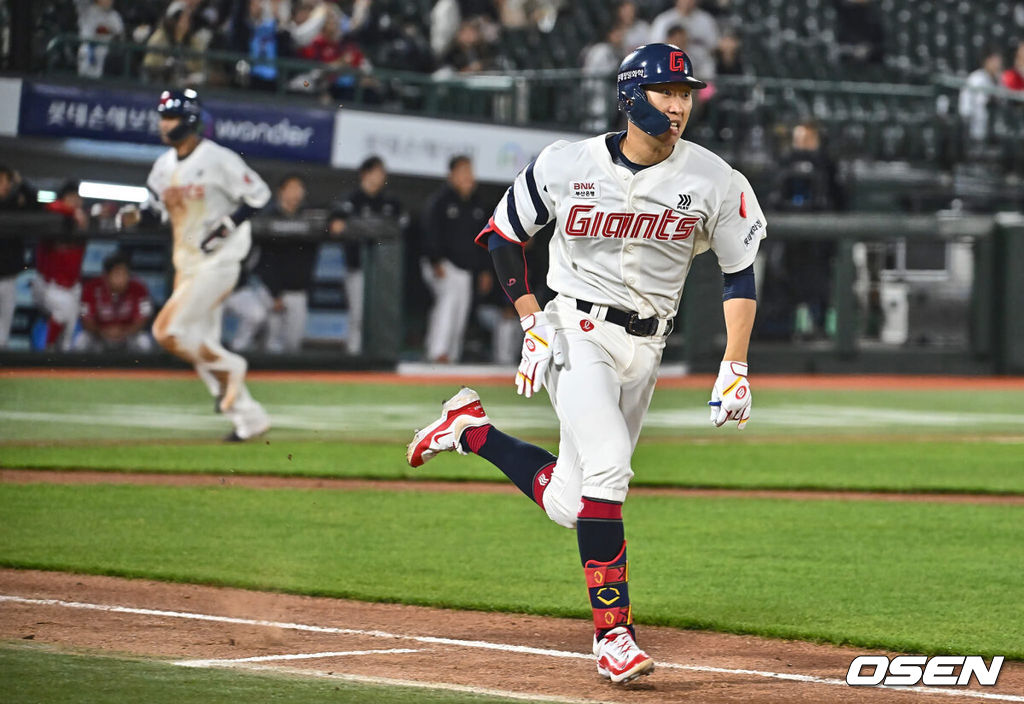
pixel 632 210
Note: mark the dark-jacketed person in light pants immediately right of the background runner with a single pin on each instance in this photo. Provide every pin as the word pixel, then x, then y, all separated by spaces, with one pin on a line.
pixel 286 270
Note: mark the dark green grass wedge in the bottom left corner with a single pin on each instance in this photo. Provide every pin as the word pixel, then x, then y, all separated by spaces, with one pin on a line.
pixel 41 676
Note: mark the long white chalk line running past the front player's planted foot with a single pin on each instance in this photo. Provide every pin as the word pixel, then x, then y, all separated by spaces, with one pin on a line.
pixel 485 645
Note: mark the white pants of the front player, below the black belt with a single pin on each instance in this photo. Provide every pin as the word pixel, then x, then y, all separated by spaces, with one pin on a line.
pixel 602 397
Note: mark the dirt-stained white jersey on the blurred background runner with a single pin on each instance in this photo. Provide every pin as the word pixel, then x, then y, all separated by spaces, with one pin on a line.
pixel 212 183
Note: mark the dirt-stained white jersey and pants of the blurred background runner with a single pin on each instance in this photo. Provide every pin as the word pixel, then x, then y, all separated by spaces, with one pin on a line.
pixel 196 194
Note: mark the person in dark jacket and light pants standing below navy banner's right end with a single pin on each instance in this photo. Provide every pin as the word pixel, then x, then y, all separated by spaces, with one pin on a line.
pixel 368 201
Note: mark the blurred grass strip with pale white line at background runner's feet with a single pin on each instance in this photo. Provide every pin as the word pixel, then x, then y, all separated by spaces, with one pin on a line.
pixel 42 409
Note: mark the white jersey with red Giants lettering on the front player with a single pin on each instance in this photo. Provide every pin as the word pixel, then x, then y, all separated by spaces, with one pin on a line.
pixel 626 240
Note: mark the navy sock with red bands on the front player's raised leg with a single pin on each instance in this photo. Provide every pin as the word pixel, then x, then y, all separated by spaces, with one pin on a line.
pixel 528 466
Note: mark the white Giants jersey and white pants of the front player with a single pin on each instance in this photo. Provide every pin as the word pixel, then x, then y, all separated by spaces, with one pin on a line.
pixel 625 241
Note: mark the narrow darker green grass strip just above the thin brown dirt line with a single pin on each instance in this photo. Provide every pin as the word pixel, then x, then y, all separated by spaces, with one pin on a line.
pixel 881 466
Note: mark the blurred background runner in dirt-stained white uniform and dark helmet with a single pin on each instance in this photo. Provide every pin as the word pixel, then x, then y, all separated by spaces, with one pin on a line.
pixel 208 194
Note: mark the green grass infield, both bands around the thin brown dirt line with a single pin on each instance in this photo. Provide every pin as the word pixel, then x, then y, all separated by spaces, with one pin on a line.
pixel 909 577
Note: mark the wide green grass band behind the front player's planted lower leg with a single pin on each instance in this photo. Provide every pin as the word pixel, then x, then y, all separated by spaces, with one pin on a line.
pixel 933 579
